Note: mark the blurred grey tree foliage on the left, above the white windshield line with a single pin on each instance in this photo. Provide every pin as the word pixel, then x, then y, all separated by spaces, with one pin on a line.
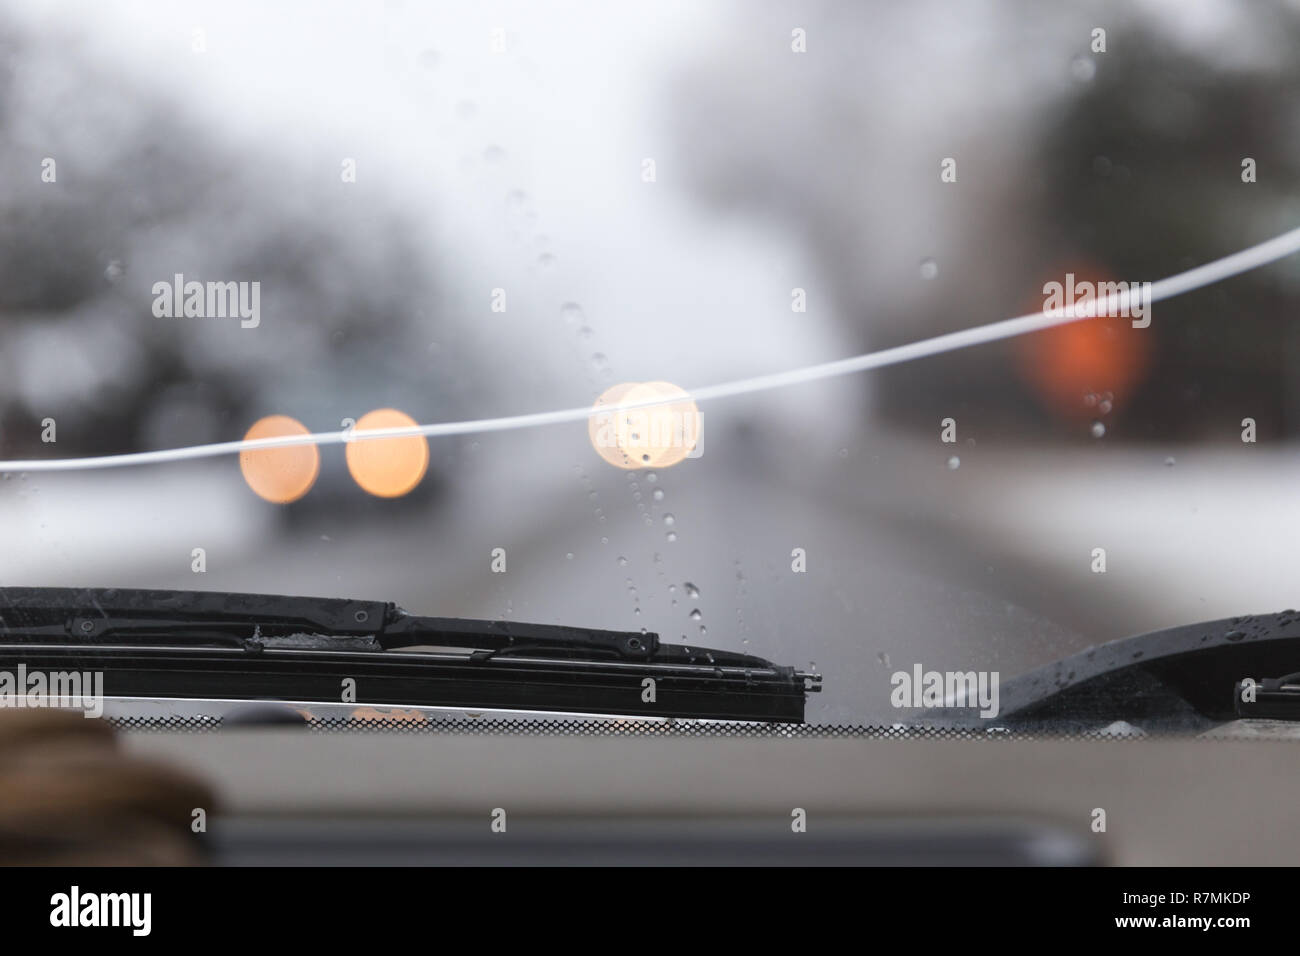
pixel 145 191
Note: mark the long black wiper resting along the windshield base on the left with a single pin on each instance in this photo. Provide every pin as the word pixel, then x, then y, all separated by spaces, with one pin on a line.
pixel 261 647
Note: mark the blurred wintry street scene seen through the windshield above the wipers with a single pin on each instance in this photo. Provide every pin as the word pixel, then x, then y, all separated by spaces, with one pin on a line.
pixel 649 187
